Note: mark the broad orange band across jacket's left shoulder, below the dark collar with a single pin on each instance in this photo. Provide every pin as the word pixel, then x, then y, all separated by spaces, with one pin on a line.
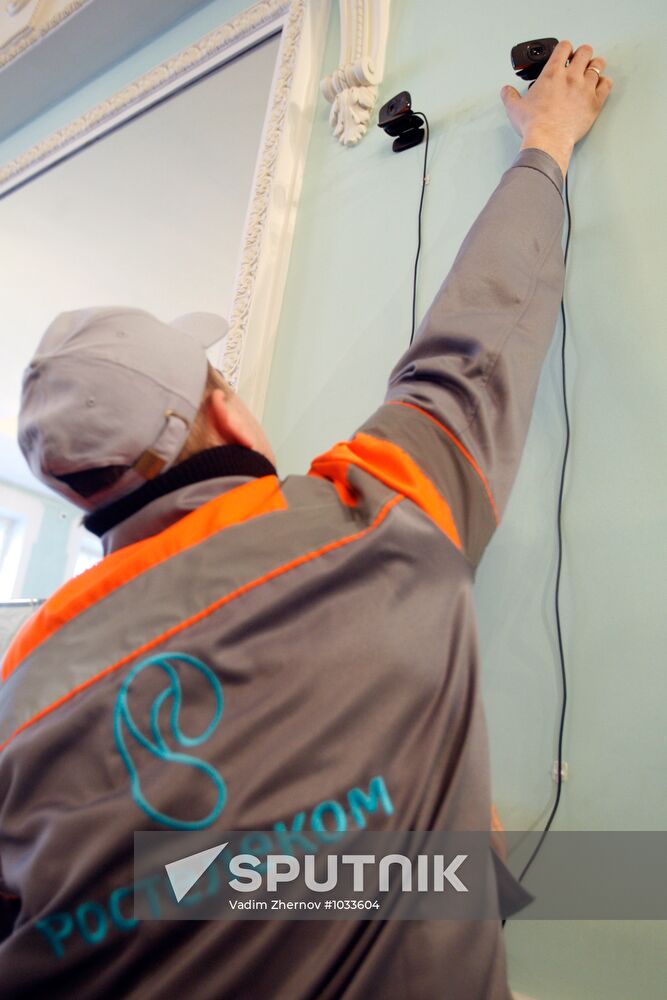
pixel 250 500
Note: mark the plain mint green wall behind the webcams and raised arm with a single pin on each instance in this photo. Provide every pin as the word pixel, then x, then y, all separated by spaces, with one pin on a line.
pixel 346 319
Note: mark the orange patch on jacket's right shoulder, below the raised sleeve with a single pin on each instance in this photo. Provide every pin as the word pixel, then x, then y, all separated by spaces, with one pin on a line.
pixel 392 465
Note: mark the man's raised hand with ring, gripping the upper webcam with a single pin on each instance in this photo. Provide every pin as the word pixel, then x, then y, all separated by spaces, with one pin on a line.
pixel 560 107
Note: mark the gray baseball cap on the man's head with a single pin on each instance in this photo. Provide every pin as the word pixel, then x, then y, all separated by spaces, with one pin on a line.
pixel 115 389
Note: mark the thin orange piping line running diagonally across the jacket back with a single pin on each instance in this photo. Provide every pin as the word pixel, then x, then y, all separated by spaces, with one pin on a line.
pixel 164 636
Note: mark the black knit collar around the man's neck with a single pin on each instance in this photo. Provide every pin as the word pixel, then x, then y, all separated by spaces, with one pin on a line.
pixel 225 460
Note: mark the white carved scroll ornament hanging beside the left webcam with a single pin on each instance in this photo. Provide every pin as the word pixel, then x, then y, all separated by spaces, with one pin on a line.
pixel 352 89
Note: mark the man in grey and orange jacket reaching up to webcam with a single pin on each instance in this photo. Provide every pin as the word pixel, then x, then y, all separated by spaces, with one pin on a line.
pixel 332 612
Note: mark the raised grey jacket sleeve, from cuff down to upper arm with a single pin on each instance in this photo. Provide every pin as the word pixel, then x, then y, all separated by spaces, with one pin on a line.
pixel 460 399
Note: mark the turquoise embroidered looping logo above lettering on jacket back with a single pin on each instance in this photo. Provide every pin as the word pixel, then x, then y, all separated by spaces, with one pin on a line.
pixel 156 744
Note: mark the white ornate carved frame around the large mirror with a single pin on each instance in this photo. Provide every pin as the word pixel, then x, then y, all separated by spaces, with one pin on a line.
pixel 269 228
